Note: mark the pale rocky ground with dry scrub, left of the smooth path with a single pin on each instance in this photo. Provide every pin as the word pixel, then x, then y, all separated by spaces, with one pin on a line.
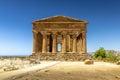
pixel 16 63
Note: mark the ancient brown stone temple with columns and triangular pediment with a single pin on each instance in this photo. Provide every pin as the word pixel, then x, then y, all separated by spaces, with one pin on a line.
pixel 59 37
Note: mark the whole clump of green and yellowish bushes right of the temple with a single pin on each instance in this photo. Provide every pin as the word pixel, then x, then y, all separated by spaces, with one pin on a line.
pixel 109 55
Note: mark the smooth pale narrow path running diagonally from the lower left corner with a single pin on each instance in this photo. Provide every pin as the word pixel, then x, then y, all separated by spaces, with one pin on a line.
pixel 6 75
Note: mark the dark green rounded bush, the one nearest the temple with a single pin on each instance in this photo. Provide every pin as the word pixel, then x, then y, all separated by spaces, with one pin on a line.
pixel 100 53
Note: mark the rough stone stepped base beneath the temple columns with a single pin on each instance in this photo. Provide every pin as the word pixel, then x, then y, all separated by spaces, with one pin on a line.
pixel 62 56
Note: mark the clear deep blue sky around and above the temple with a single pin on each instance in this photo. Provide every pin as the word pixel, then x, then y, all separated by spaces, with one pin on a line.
pixel 16 17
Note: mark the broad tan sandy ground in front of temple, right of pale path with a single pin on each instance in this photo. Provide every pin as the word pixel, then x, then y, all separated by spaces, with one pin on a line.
pixel 75 71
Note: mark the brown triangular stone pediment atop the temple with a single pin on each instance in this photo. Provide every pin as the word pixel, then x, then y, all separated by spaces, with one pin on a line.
pixel 59 19
